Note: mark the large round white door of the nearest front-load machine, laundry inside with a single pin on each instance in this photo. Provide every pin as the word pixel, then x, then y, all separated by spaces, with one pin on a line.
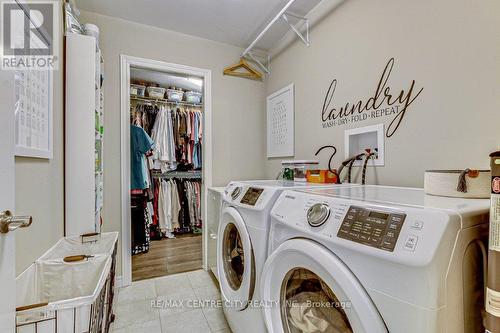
pixel 307 288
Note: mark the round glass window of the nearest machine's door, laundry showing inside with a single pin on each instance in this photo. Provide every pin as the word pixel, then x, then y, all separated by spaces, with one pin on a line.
pixel 309 305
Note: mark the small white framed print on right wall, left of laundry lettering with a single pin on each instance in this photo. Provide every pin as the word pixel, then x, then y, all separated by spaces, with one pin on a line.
pixel 280 123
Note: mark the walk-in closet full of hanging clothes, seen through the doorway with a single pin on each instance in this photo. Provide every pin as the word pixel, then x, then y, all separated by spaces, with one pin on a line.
pixel 166 140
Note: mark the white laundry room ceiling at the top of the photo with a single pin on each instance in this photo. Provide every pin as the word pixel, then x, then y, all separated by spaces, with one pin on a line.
pixel 235 22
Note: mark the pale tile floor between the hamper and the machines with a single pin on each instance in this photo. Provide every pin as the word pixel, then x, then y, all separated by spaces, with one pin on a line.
pixel 154 306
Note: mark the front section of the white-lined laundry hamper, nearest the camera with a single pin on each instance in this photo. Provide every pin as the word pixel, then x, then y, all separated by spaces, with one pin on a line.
pixel 54 296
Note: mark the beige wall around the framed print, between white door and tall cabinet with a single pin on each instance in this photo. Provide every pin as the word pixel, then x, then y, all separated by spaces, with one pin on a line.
pixel 40 189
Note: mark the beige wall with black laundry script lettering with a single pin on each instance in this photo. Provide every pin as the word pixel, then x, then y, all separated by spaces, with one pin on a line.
pixel 451 48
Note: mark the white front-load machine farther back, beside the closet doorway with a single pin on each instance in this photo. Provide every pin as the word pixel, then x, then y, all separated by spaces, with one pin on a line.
pixel 242 245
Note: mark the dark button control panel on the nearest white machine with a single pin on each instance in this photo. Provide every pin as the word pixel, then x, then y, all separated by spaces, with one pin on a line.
pixel 373 228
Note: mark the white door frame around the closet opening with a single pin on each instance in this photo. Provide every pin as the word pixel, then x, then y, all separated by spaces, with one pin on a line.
pixel 126 62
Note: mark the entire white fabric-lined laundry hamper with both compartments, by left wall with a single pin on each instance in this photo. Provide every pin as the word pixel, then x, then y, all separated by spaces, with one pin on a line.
pixel 77 297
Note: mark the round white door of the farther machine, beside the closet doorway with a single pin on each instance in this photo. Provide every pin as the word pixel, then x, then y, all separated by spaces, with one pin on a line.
pixel 235 262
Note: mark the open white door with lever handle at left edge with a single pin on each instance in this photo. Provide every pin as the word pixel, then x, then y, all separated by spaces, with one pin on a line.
pixel 7 242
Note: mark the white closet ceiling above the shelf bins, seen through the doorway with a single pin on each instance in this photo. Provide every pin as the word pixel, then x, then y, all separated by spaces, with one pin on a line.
pixel 166 80
